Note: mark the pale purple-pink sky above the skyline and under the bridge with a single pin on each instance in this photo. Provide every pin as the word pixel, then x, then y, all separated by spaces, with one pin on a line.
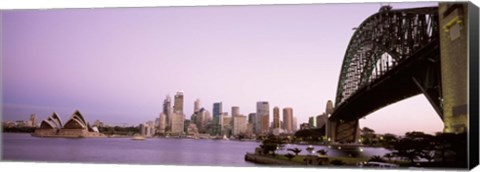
pixel 118 64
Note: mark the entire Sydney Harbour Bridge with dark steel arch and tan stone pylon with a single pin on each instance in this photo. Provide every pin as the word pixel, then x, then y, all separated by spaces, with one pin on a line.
pixel 398 53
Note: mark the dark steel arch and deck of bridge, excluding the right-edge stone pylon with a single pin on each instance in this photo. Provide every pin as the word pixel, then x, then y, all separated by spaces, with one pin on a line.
pixel 393 55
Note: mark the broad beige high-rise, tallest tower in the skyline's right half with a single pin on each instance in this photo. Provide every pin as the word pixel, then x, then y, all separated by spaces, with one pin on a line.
pixel 262 118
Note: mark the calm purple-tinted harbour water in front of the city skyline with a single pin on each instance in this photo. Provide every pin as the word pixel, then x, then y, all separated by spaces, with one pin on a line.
pixel 23 147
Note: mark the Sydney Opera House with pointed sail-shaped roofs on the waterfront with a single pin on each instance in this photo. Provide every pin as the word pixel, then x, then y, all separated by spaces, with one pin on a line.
pixel 76 126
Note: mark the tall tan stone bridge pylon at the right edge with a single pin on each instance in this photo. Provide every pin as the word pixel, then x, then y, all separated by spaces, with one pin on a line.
pixel 453 49
